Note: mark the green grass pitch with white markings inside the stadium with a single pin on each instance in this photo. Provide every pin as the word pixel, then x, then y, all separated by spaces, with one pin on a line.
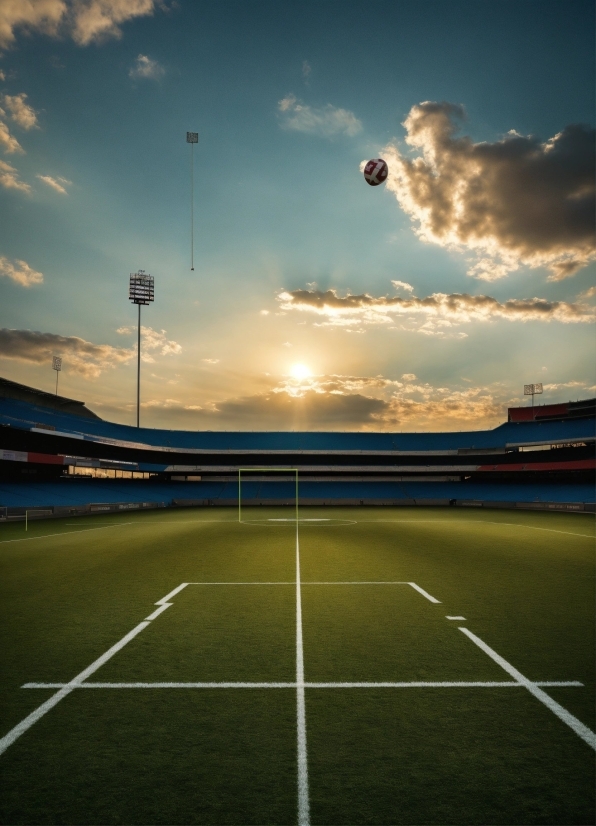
pixel 399 744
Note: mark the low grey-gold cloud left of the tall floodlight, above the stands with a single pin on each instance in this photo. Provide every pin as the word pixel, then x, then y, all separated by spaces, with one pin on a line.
pixel 80 356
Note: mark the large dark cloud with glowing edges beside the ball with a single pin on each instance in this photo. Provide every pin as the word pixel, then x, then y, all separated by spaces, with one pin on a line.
pixel 517 201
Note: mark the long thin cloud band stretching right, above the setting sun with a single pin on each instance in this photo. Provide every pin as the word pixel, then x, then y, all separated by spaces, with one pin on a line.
pixel 433 315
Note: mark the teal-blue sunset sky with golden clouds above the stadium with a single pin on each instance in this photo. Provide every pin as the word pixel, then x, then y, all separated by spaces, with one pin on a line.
pixel 291 318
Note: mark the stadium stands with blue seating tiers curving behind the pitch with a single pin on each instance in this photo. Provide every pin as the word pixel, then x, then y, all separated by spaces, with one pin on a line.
pixel 55 454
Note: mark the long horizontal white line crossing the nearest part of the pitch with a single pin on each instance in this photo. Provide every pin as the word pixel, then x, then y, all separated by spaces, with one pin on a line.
pixel 414 684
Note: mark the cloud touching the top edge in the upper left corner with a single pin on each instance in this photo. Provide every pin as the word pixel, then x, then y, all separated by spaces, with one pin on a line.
pixel 86 21
